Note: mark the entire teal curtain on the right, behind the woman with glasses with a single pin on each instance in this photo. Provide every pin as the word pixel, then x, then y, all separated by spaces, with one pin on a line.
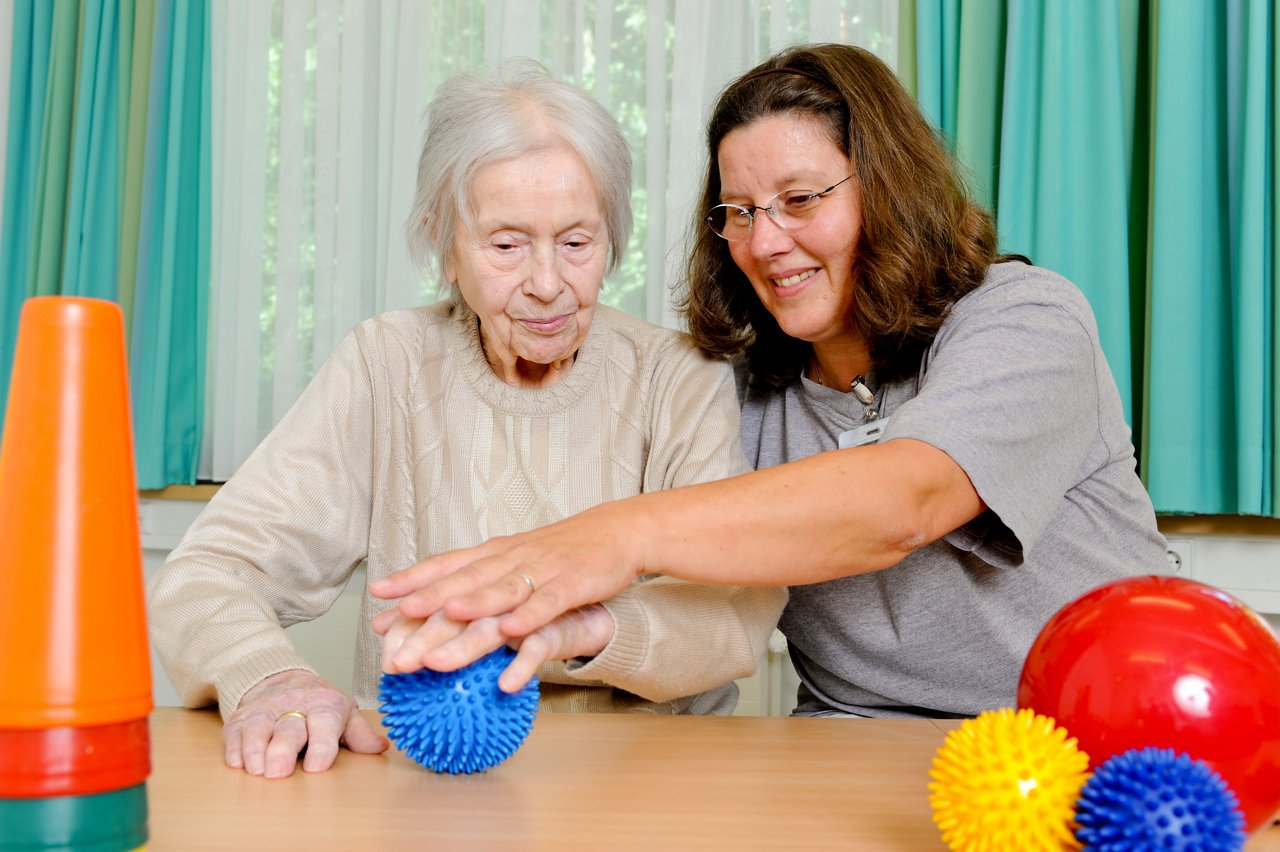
pixel 1131 148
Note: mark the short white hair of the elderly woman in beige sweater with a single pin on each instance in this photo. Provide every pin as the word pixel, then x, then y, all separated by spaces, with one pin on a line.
pixel 477 120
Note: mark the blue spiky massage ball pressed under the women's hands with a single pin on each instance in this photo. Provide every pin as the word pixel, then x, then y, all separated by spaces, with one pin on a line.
pixel 459 722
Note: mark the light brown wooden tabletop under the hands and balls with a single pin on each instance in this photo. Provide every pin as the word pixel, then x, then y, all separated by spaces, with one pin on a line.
pixel 600 782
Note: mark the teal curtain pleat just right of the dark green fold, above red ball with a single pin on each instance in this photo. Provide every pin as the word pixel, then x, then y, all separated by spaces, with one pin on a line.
pixel 1190 441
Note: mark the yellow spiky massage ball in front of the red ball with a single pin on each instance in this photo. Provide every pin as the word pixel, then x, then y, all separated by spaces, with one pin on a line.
pixel 1008 781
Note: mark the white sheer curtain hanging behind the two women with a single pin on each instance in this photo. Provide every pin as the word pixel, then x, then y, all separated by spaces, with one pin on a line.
pixel 318 120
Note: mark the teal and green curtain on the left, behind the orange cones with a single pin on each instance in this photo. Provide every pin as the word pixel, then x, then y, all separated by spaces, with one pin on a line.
pixel 107 195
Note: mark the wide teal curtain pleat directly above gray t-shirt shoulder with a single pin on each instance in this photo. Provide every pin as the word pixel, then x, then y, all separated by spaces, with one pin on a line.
pixel 1063 193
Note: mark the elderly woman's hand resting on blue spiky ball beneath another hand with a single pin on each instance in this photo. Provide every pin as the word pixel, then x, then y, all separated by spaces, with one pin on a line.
pixel 446 645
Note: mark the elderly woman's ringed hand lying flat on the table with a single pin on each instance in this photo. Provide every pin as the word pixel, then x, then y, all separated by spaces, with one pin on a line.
pixel 289 712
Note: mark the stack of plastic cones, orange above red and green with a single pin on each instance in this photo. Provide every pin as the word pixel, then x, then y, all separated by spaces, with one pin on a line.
pixel 75 666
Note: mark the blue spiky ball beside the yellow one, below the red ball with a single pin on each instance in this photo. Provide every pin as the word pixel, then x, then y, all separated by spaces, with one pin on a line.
pixel 1151 799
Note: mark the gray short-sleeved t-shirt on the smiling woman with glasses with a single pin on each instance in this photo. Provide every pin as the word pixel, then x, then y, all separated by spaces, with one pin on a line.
pixel 1017 391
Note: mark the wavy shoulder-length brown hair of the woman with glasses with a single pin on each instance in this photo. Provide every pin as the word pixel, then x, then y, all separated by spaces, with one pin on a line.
pixel 925 244
